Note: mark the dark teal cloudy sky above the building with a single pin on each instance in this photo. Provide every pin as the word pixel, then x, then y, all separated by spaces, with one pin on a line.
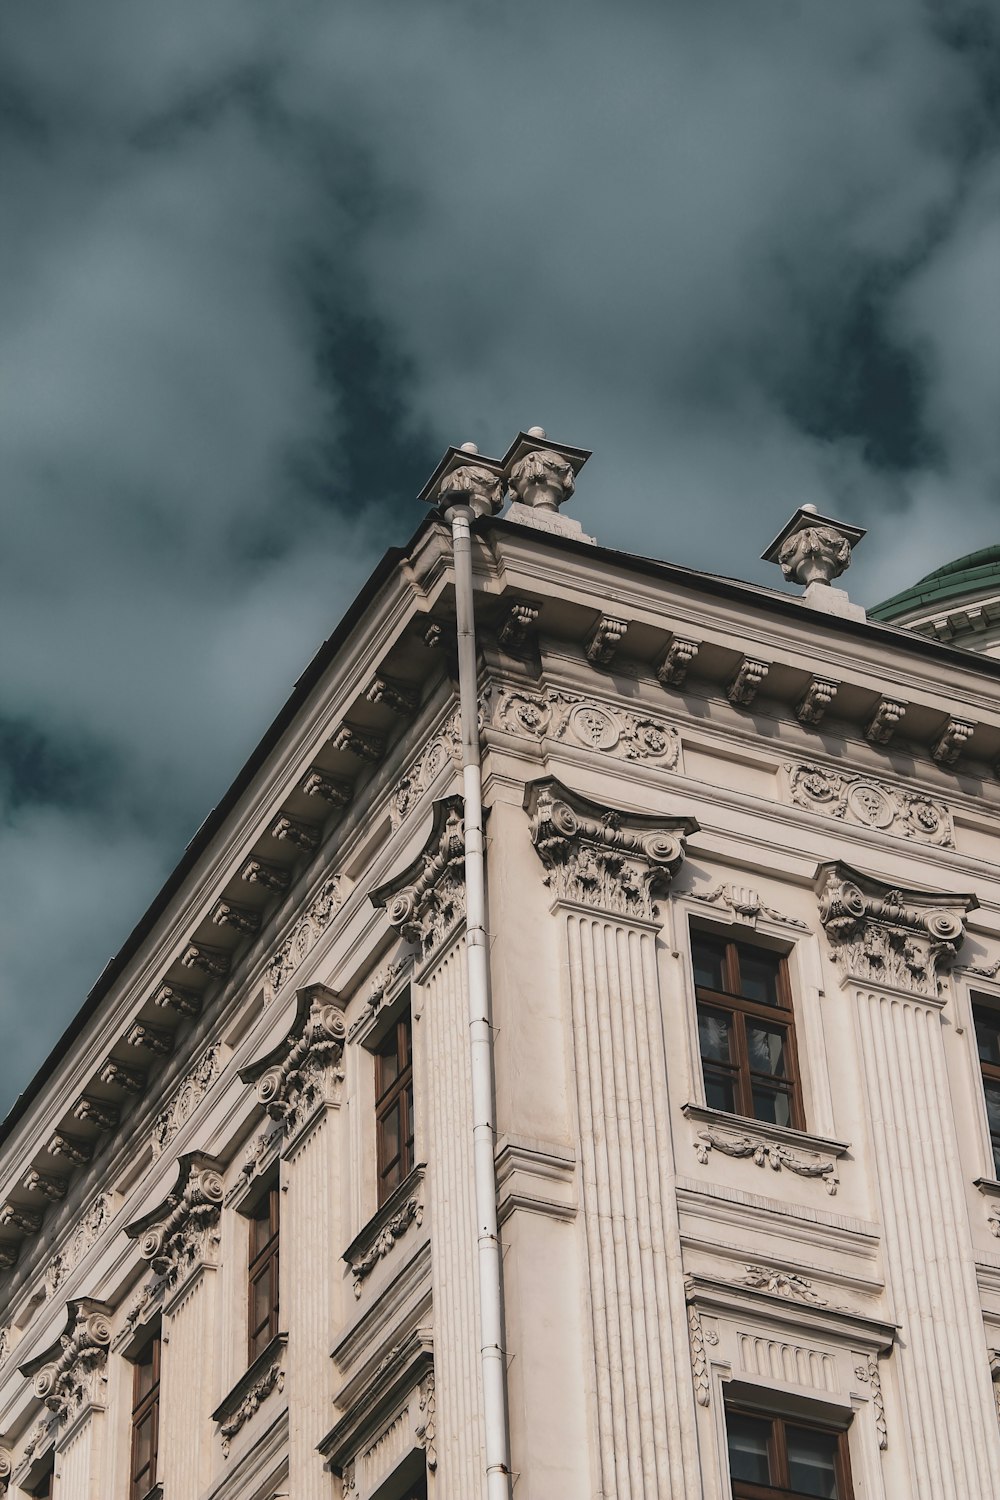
pixel 260 263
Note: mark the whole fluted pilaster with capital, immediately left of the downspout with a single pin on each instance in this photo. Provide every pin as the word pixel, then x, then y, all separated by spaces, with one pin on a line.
pixel 428 907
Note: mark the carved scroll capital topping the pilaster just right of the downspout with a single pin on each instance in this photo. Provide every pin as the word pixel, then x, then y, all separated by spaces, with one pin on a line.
pixel 603 859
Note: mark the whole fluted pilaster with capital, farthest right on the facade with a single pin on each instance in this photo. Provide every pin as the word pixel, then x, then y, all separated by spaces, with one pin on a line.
pixel 893 947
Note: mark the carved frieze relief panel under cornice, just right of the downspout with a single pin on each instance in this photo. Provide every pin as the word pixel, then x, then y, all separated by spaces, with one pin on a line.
pixel 584 722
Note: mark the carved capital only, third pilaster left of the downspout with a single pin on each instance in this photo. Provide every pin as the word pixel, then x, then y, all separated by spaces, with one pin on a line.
pixel 182 1232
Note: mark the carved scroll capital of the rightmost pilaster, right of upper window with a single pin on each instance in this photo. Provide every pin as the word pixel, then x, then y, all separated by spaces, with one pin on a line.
pixel 894 937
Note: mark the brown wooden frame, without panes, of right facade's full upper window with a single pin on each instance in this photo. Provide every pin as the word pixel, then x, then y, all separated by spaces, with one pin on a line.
pixel 741 1009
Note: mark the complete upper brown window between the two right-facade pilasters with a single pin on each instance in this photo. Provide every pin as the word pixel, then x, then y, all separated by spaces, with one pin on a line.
pixel 746 1031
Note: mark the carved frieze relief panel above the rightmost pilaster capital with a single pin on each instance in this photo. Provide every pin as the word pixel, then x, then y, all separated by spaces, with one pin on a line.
pixel 873 805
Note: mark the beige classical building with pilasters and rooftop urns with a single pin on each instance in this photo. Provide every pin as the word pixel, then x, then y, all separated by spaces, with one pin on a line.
pixel 743 899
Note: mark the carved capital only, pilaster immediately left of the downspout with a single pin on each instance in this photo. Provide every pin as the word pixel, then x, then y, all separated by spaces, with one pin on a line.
pixel 427 902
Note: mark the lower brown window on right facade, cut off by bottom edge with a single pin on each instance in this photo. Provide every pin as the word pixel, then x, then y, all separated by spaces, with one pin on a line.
pixel 773 1459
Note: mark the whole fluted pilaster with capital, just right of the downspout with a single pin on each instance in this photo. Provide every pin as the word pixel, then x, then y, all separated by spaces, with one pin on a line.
pixel 605 872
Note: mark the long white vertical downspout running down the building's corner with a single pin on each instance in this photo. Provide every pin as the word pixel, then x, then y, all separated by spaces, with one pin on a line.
pixel 461 517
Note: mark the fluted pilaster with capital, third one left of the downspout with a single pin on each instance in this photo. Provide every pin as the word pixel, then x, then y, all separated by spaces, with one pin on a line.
pixel 181 1241
